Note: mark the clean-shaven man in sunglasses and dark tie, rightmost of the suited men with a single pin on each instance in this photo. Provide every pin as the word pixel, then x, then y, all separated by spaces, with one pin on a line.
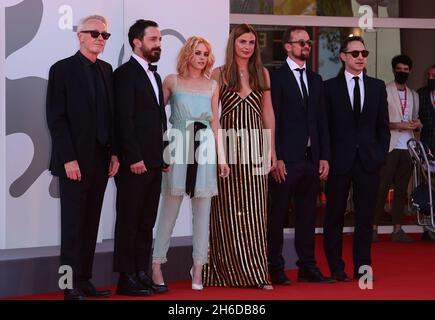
pixel 359 132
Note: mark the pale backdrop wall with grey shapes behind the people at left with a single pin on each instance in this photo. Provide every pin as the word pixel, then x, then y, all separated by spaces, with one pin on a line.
pixel 40 32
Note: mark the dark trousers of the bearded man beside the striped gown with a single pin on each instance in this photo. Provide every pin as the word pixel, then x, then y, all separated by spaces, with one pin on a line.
pixel 302 182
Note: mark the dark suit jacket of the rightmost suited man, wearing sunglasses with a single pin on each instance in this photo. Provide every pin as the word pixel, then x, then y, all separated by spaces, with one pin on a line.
pixel 369 138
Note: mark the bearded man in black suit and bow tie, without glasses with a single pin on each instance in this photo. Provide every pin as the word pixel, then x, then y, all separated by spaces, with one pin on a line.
pixel 141 122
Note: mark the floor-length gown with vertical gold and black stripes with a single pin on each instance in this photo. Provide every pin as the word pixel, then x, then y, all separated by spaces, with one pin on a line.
pixel 238 222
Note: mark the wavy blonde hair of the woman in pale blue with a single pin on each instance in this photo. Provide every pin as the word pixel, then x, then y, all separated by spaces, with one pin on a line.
pixel 188 51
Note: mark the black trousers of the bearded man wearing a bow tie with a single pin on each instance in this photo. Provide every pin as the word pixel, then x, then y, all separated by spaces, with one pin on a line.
pixel 137 202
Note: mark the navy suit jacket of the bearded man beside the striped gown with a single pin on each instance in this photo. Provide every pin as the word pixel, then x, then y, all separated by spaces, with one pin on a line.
pixel 294 124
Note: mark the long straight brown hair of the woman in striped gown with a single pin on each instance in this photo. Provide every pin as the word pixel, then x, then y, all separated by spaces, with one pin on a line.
pixel 255 65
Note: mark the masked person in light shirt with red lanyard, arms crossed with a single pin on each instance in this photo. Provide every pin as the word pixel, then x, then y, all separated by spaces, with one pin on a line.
pixel 403 106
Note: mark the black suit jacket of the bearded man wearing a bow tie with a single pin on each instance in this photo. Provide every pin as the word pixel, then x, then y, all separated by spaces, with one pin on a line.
pixel 140 119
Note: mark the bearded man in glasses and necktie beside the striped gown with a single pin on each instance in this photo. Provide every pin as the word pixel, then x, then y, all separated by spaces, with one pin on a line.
pixel 302 147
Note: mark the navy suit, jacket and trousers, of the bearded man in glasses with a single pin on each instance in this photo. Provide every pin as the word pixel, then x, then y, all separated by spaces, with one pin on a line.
pixel 295 123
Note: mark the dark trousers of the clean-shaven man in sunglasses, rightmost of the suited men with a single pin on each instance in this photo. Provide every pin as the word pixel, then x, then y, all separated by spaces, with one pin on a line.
pixel 365 191
